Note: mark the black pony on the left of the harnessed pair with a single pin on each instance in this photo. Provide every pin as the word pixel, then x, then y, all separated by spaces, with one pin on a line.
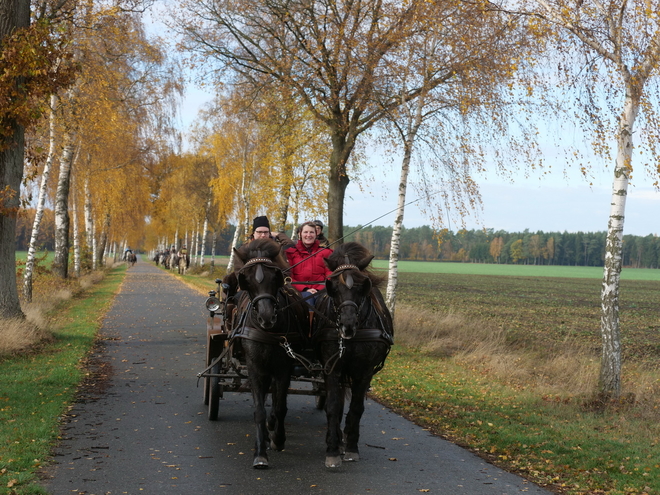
pixel 270 324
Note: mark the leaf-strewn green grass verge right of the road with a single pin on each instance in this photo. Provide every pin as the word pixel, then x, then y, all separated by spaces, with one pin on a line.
pixel 553 443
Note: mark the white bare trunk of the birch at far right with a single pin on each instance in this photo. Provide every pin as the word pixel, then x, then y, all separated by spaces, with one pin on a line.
pixel 610 370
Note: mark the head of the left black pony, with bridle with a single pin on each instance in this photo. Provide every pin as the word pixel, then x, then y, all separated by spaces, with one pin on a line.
pixel 259 268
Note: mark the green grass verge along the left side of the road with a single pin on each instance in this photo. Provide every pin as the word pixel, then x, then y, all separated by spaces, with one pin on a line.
pixel 37 387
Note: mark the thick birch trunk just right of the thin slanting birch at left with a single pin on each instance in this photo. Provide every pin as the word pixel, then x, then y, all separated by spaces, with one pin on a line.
pixel 61 261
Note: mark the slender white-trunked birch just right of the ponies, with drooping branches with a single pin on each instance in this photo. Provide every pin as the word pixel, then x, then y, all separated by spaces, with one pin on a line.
pixel 453 124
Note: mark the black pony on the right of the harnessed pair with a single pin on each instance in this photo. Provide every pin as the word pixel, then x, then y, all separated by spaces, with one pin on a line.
pixel 352 340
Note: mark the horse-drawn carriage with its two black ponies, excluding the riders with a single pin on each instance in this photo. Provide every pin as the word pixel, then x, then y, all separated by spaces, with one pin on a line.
pixel 259 339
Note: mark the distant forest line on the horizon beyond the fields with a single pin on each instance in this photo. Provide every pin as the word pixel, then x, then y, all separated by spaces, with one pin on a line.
pixel 468 246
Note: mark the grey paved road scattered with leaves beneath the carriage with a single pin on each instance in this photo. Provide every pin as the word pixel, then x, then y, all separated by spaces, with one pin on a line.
pixel 144 430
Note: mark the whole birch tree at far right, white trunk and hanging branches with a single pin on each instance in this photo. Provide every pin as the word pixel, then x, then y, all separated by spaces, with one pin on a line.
pixel 613 49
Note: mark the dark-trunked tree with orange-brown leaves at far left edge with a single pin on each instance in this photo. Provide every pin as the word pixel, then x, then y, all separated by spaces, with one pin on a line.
pixel 31 68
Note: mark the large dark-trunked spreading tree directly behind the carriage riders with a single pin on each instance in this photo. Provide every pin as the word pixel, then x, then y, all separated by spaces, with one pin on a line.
pixel 334 56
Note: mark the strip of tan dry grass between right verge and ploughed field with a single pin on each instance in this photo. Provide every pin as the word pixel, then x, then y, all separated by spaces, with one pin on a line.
pixel 565 373
